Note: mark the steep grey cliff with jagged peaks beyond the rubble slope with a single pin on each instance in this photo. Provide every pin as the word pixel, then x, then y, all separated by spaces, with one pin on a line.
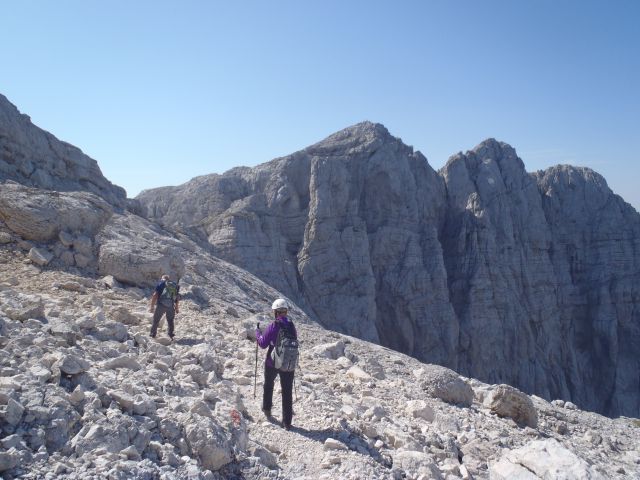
pixel 503 275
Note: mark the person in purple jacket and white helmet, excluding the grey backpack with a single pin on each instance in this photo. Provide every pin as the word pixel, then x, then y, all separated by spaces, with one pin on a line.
pixel 268 340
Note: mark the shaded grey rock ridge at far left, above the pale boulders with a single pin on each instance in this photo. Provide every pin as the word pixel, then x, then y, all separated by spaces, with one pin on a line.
pixel 34 157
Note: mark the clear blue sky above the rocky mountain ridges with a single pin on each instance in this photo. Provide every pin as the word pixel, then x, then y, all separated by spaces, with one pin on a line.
pixel 159 92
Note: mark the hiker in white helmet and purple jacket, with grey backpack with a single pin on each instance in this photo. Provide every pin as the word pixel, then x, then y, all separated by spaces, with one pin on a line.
pixel 282 340
